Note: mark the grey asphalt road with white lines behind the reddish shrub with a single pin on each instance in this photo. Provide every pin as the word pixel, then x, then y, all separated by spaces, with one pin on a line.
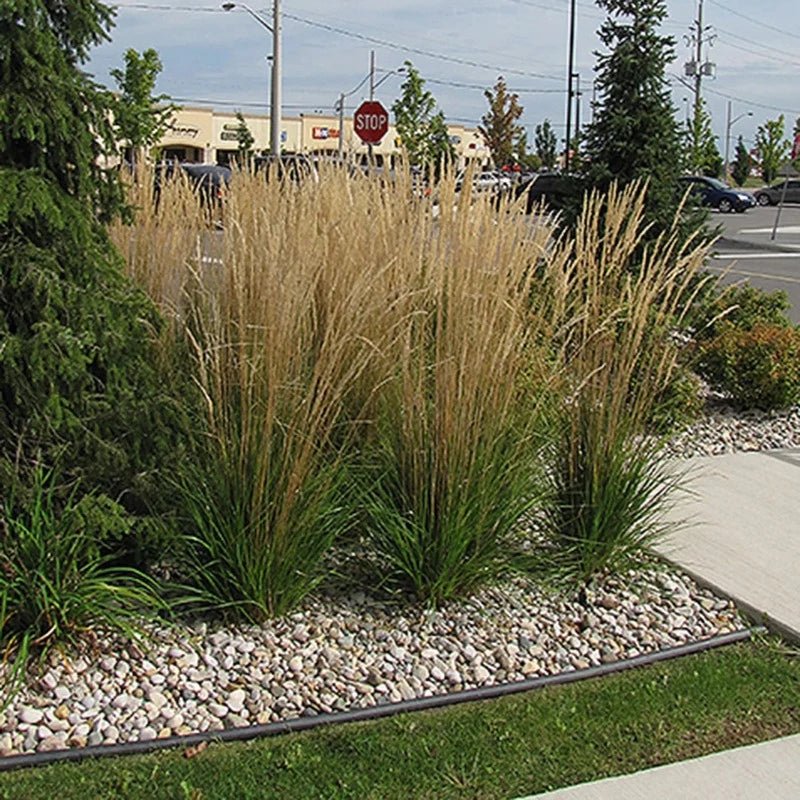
pixel 747 252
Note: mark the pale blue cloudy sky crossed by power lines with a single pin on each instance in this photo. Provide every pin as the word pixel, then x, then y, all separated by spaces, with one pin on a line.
pixel 216 58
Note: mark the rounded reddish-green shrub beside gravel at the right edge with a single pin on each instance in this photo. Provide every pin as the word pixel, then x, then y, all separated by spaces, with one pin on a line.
pixel 759 367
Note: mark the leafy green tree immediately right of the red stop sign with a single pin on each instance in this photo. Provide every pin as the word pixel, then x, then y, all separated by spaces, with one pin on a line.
pixel 422 129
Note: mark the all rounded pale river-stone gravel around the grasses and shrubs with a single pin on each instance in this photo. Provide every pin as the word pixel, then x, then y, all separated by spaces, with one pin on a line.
pixel 355 652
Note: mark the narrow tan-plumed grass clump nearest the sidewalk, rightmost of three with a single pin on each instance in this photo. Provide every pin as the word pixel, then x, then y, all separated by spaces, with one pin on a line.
pixel 610 482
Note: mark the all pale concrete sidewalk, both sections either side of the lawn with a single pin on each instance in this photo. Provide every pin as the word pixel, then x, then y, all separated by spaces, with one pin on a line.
pixel 744 542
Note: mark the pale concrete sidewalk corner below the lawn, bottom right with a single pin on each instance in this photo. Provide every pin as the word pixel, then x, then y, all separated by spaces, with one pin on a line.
pixel 766 771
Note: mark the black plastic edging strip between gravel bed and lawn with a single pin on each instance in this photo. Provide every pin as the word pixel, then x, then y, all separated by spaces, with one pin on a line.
pixel 373 712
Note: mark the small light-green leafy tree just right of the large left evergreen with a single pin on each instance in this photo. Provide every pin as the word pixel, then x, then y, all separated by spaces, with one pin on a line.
pixel 140 119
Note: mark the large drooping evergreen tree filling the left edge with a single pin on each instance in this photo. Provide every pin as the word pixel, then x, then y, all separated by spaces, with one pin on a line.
pixel 77 385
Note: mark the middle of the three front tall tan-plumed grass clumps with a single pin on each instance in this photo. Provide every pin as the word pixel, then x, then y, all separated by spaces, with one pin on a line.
pixel 451 462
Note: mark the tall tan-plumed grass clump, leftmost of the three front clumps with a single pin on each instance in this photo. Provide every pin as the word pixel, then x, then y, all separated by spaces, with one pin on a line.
pixel 279 328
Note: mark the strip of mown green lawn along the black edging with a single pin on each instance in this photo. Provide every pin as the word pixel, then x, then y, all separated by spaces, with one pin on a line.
pixel 499 749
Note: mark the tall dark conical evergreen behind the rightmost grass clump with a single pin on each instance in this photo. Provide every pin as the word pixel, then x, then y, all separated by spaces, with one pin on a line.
pixel 634 134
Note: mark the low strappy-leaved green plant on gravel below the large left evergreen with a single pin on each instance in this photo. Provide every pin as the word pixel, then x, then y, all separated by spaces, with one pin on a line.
pixel 56 587
